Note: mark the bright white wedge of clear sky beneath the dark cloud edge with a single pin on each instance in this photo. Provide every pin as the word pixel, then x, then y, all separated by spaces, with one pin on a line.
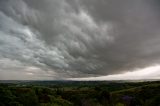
pixel 151 72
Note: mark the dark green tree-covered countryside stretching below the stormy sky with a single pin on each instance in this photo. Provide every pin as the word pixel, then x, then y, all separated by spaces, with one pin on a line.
pixel 77 93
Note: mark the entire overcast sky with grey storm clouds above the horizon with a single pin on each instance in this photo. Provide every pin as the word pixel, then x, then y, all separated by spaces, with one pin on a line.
pixel 79 39
